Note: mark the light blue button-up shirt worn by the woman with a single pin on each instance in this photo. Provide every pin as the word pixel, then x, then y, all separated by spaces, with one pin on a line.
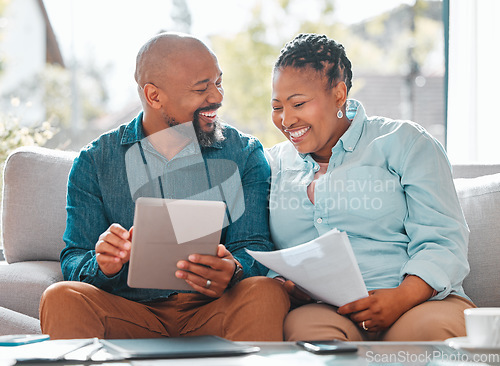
pixel 389 187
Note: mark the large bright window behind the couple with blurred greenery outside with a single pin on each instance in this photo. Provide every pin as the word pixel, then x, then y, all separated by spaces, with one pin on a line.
pixel 396 47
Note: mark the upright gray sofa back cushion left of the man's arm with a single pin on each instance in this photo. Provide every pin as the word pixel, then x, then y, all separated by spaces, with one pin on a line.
pixel 34 203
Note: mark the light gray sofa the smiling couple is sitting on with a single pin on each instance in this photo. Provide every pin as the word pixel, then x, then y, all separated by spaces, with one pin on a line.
pixel 33 221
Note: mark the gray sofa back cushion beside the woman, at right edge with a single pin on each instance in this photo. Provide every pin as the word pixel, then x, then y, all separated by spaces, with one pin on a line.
pixel 480 201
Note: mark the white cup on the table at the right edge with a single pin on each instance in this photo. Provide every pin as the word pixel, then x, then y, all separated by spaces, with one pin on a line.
pixel 483 327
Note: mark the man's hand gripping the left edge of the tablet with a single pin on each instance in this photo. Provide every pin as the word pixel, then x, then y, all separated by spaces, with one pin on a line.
pixel 113 249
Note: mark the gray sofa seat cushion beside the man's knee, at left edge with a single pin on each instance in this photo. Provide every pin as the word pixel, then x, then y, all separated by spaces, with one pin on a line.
pixel 22 284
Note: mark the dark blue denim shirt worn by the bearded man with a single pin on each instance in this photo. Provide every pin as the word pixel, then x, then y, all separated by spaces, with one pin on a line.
pixel 99 194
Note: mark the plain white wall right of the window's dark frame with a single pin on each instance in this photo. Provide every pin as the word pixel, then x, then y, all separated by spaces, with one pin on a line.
pixel 474 81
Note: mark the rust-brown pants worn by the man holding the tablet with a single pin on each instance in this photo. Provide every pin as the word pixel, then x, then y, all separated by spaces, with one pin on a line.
pixel 253 310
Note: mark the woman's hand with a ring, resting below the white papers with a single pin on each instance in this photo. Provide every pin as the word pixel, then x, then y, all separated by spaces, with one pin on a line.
pixel 383 307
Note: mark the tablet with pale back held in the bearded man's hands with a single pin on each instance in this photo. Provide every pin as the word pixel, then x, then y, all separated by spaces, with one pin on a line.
pixel 166 231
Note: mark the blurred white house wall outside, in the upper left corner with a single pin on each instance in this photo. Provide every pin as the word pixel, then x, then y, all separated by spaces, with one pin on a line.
pixel 23 48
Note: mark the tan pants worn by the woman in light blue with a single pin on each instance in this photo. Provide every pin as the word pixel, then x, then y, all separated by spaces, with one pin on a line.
pixel 429 321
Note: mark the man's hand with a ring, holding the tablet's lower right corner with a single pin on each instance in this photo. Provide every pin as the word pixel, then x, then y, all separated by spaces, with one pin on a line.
pixel 200 270
